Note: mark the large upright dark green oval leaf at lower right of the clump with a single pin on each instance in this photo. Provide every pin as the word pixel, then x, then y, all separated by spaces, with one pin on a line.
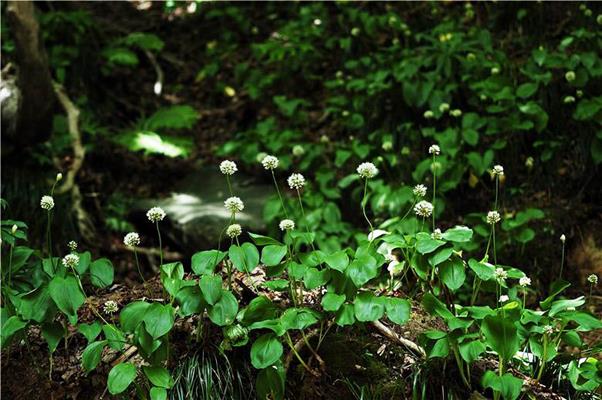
pixel 501 335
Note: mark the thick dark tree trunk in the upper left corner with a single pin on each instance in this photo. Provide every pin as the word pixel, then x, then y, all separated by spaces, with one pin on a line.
pixel 37 100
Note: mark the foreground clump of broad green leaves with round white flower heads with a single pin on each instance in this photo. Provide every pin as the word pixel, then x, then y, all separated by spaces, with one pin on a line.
pixel 481 302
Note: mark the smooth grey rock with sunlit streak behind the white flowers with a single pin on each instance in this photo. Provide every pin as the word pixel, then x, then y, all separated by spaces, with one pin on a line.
pixel 196 213
